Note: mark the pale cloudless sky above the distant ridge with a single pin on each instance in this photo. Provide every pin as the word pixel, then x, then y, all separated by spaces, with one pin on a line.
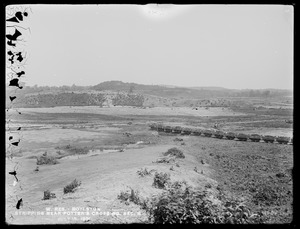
pixel 231 46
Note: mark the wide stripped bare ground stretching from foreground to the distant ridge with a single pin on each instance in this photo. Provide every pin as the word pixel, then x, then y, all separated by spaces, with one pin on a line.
pixel 119 143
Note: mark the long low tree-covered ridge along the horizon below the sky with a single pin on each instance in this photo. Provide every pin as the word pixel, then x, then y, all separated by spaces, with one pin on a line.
pixel 118 93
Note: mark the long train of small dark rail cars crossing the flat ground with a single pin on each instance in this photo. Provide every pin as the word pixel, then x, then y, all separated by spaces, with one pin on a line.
pixel 220 134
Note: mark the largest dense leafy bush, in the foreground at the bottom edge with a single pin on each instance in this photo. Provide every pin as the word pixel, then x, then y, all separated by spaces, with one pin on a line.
pixel 181 204
